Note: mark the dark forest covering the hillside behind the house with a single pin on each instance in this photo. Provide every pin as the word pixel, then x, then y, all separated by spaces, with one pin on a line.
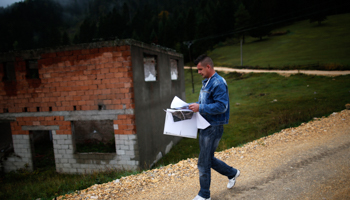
pixel 176 24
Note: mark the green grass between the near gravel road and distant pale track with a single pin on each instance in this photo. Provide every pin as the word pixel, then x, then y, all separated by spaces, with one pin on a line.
pixel 254 113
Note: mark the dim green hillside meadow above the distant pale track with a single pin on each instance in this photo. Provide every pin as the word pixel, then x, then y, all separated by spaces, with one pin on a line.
pixel 306 44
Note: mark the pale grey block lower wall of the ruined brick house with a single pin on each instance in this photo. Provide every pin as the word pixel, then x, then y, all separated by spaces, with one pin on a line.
pixel 125 158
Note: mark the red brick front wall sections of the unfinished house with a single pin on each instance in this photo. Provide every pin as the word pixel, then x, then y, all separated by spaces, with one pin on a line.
pixel 83 78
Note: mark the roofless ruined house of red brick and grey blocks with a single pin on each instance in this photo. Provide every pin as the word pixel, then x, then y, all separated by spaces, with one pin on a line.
pixel 121 87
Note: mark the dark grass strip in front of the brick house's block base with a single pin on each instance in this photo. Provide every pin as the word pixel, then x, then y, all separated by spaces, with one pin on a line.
pixel 47 184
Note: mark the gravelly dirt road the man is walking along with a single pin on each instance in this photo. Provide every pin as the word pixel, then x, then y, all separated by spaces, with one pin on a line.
pixel 311 161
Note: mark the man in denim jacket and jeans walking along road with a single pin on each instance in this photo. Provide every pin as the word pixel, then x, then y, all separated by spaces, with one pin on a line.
pixel 213 105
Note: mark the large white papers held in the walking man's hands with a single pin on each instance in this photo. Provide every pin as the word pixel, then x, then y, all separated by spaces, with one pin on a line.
pixel 181 121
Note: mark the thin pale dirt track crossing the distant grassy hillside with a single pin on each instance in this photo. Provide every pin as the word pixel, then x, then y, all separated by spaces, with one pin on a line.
pixel 282 72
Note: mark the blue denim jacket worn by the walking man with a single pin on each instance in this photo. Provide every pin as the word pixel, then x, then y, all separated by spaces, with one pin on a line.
pixel 213 100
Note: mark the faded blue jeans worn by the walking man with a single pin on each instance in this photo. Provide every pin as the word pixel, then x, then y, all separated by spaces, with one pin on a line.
pixel 208 142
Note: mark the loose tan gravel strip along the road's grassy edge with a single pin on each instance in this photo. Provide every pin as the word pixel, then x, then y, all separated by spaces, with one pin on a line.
pixel 167 180
